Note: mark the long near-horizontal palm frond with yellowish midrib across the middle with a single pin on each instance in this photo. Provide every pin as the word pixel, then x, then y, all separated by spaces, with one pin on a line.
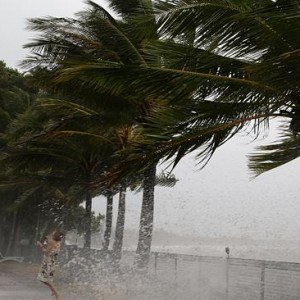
pixel 115 79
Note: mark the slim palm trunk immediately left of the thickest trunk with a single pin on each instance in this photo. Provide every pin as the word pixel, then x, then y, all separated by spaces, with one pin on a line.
pixel 118 243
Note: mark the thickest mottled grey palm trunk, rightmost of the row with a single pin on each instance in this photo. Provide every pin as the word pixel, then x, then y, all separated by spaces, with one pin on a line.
pixel 146 220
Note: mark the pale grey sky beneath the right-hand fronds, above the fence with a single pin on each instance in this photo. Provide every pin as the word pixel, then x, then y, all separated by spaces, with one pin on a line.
pixel 221 200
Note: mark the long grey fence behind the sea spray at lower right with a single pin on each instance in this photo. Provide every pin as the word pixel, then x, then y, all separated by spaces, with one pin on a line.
pixel 207 277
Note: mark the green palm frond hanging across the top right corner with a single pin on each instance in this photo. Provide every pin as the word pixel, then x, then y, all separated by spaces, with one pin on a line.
pixel 237 28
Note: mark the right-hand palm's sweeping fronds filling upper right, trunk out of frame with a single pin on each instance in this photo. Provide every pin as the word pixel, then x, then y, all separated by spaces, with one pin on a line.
pixel 241 69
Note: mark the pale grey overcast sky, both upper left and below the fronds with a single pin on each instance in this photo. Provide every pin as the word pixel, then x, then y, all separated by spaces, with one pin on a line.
pixel 217 201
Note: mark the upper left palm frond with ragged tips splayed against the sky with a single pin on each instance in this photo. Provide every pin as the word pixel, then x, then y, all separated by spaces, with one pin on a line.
pixel 62 40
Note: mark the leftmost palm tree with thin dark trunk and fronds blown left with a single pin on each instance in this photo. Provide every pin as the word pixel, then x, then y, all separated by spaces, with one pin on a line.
pixel 66 162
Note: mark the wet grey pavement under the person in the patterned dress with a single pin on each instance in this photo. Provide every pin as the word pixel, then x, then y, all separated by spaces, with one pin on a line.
pixel 18 281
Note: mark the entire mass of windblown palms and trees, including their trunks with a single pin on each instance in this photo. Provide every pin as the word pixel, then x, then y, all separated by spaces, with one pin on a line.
pixel 161 80
